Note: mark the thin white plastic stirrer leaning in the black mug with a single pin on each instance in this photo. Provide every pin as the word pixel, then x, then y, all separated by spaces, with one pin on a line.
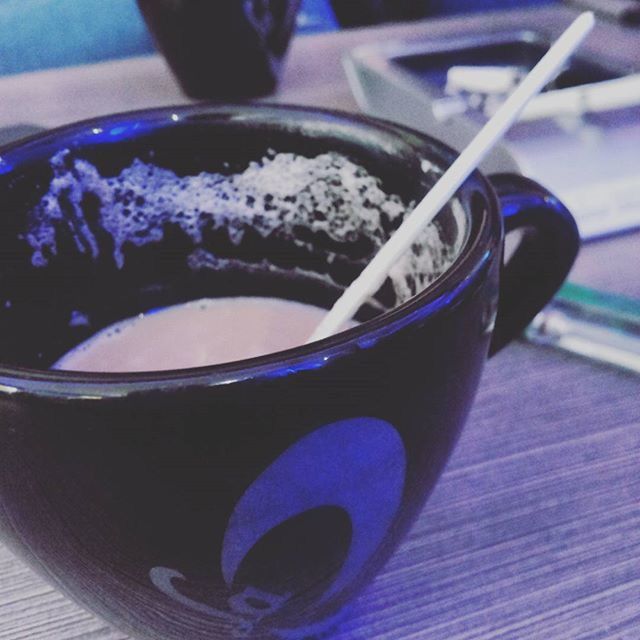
pixel 374 274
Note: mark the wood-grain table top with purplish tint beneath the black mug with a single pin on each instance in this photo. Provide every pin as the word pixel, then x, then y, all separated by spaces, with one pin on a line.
pixel 533 530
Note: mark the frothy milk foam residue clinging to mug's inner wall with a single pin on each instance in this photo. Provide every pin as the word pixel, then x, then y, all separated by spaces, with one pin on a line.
pixel 326 205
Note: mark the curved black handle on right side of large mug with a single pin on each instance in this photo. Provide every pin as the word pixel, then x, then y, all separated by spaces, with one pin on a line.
pixel 542 260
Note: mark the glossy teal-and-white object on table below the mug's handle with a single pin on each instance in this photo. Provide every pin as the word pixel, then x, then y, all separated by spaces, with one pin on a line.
pixel 601 326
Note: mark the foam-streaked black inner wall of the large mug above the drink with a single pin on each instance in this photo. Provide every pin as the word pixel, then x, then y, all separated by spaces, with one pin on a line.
pixel 124 218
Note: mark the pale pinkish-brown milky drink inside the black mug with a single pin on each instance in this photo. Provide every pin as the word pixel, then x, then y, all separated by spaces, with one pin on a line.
pixel 196 334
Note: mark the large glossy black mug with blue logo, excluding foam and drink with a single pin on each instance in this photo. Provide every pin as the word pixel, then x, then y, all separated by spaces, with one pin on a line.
pixel 252 499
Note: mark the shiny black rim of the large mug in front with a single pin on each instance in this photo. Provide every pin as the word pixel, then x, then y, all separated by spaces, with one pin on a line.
pixel 436 296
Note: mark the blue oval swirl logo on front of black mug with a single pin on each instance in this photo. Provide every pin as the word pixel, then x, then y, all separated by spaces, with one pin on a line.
pixel 354 468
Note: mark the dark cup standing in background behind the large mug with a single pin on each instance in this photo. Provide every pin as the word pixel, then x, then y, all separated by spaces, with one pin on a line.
pixel 223 48
